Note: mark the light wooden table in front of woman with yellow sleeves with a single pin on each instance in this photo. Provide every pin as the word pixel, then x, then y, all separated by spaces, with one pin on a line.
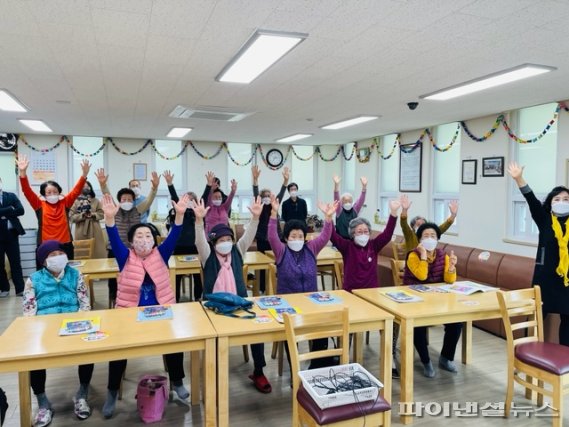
pixel 435 309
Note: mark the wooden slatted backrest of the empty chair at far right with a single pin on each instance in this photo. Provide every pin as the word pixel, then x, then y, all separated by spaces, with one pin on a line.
pixel 521 311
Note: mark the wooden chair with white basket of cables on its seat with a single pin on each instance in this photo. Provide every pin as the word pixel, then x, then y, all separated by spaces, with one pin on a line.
pixel 304 327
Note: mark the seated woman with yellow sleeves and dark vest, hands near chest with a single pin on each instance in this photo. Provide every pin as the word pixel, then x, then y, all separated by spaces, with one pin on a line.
pixel 427 264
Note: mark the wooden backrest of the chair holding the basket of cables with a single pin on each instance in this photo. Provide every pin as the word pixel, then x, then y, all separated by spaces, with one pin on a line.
pixel 304 327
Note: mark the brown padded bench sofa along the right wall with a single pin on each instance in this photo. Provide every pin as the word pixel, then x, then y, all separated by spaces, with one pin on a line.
pixel 505 271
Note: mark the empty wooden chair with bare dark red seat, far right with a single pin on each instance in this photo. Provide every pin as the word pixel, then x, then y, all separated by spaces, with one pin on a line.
pixel 529 355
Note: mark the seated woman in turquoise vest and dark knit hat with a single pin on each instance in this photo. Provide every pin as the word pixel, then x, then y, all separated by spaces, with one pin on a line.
pixel 56 288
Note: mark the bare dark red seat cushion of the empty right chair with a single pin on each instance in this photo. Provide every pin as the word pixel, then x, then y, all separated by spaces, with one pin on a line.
pixel 548 356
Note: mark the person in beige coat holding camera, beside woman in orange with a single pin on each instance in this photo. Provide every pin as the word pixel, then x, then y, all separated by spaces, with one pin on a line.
pixel 86 213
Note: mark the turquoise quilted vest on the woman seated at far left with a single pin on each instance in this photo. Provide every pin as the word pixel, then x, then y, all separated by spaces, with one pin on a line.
pixel 53 297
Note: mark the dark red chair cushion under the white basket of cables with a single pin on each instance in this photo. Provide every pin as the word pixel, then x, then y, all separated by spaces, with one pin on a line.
pixel 339 413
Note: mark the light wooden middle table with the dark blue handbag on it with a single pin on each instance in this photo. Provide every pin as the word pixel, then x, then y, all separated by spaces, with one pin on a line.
pixel 235 332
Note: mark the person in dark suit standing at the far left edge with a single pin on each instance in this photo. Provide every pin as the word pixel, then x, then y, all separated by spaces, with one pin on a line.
pixel 10 230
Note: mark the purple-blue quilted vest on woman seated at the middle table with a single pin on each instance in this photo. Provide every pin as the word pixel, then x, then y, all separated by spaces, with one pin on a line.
pixel 297 272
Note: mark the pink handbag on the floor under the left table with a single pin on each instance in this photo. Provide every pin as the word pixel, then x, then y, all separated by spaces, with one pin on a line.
pixel 151 397
